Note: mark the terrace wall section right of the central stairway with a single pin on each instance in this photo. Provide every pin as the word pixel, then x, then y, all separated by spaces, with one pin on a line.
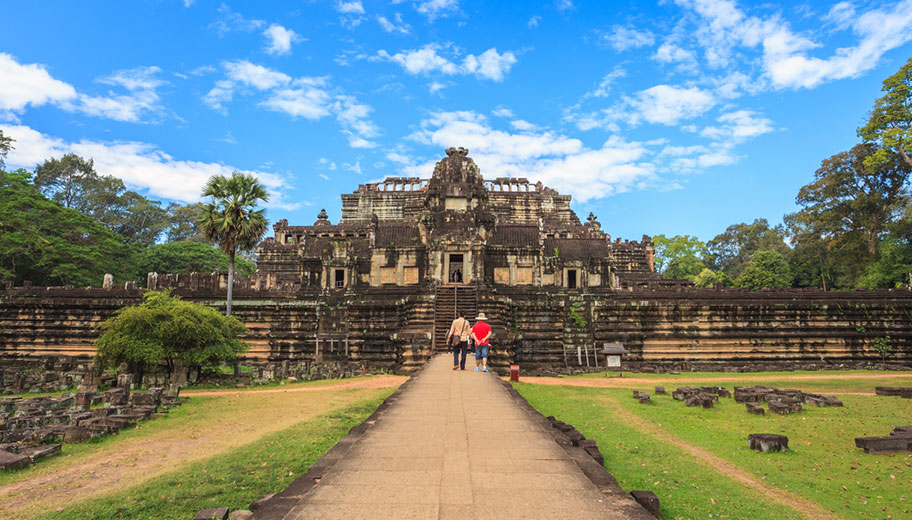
pixel 705 329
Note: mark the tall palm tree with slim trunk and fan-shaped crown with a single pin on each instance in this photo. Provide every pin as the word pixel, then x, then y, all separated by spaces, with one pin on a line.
pixel 230 219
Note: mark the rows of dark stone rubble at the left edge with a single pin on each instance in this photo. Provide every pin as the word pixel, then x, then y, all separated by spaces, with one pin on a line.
pixel 32 428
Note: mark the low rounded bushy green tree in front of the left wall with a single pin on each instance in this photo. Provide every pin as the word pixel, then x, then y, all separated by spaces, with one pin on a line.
pixel 167 330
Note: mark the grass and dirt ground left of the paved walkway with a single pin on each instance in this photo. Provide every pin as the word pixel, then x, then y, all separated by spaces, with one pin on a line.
pixel 220 448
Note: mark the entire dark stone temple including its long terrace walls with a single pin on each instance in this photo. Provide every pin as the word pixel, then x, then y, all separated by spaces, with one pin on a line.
pixel 378 290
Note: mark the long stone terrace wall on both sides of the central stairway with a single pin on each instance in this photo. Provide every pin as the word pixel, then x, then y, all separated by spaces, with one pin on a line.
pixel 391 329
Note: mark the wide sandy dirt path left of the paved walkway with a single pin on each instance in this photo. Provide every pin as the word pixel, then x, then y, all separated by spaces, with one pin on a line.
pixel 247 416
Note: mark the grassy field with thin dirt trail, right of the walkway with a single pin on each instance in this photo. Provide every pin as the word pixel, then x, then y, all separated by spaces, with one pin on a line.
pixel 698 463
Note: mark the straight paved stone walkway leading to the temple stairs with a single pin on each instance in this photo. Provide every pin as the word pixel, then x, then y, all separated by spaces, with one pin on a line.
pixel 456 445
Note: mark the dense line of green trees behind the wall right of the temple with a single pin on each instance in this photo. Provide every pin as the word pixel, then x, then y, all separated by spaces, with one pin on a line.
pixel 853 228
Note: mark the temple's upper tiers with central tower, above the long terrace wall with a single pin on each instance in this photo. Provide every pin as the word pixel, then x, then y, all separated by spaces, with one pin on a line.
pixel 454 228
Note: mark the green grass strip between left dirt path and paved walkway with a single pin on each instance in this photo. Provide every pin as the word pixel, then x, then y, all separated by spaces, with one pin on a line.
pixel 230 480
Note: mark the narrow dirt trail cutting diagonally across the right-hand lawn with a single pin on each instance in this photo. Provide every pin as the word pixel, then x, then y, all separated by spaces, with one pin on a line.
pixel 806 508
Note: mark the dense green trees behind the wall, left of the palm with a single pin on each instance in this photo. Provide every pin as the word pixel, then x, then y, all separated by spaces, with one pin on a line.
pixel 67 224
